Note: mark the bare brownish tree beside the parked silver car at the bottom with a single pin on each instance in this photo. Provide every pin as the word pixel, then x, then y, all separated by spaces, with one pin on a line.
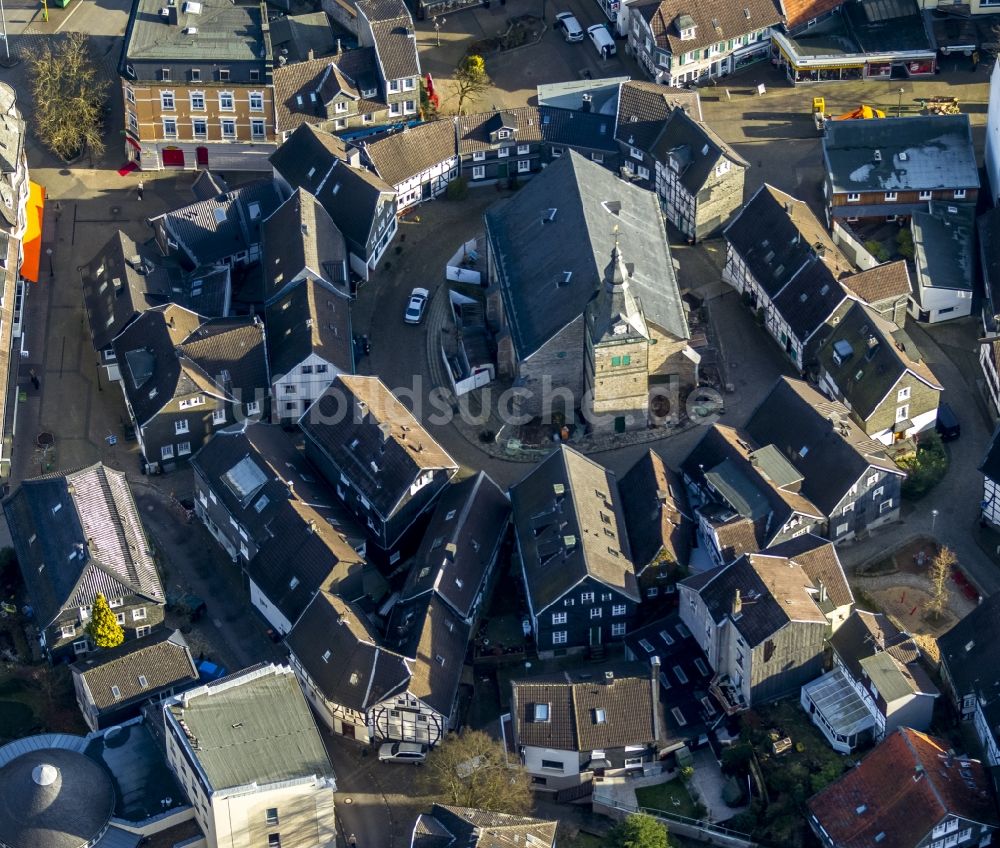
pixel 471 770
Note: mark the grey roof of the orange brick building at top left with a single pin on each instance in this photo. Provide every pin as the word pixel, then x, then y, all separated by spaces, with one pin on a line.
pixel 226 31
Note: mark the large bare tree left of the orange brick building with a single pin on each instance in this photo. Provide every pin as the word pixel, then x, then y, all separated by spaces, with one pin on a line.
pixel 68 90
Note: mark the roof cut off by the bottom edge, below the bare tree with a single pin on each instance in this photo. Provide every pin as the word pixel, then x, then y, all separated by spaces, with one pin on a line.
pixel 463 826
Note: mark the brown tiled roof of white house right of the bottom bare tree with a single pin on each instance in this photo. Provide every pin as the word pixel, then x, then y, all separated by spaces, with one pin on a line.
pixel 628 702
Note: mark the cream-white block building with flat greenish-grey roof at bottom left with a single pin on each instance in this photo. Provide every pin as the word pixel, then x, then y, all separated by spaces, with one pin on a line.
pixel 274 785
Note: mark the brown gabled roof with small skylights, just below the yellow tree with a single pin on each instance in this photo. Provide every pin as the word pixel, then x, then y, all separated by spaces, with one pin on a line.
pixel 163 660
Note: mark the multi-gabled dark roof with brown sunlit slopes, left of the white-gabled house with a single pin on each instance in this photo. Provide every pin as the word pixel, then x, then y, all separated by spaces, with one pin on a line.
pixel 170 352
